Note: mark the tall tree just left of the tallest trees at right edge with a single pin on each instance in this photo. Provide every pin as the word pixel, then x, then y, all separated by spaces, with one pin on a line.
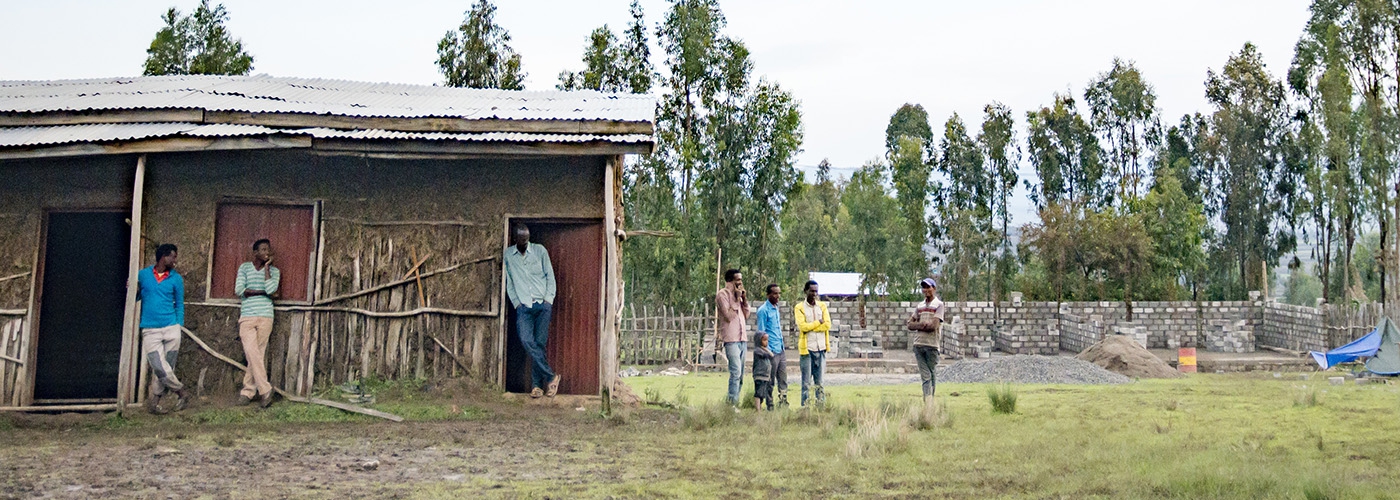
pixel 1249 177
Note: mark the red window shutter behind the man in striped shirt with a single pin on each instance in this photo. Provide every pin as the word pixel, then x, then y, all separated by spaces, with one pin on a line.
pixel 292 232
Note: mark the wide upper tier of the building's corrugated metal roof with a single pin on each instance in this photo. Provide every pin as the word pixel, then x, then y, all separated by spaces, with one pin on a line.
pixel 323 97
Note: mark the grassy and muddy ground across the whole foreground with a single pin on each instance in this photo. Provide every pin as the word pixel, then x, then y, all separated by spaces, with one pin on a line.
pixel 1247 436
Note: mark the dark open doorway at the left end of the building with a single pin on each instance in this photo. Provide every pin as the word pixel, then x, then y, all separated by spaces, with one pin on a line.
pixel 82 306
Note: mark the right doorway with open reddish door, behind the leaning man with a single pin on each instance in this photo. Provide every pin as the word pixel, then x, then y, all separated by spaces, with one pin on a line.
pixel 577 253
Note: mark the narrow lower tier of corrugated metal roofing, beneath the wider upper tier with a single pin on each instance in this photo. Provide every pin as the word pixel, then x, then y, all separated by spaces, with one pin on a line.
pixel 31 137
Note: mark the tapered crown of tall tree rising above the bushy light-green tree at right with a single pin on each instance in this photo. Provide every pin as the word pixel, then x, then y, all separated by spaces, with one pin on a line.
pixel 1123 109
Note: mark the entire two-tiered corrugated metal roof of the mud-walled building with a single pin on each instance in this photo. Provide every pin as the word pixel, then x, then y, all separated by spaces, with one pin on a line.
pixel 117 116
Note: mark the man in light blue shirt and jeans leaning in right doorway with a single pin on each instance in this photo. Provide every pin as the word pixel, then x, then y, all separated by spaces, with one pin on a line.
pixel 530 284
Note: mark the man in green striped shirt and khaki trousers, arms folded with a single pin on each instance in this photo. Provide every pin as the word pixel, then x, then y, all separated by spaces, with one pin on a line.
pixel 257 285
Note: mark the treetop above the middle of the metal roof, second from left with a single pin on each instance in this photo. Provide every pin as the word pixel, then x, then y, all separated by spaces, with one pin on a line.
pixel 479 54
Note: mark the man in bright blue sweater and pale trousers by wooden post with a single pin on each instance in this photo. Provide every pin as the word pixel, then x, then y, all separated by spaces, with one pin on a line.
pixel 162 292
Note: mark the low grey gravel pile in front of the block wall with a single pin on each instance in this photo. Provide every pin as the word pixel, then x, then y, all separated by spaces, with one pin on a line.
pixel 1030 370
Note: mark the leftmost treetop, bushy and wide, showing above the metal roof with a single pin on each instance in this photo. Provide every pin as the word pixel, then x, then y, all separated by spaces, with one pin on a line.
pixel 197 44
